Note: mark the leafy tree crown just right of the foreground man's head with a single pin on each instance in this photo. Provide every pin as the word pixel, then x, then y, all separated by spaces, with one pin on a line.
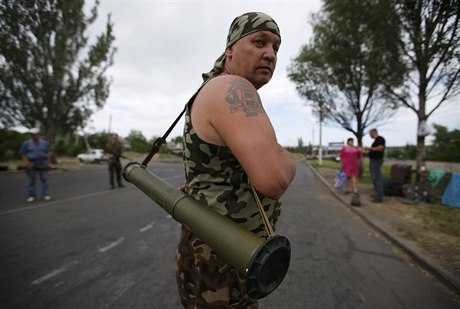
pixel 354 57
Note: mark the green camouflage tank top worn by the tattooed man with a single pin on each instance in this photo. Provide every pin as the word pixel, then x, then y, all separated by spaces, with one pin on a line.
pixel 215 178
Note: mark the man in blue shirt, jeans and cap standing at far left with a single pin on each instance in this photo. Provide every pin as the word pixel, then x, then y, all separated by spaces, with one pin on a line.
pixel 36 153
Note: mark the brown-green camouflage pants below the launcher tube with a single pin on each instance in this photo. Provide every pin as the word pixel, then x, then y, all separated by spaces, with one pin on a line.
pixel 205 280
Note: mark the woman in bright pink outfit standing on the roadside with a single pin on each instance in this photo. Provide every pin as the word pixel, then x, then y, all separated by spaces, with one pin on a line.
pixel 350 156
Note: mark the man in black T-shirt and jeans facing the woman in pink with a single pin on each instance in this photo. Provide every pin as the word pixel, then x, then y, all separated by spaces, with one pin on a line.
pixel 376 154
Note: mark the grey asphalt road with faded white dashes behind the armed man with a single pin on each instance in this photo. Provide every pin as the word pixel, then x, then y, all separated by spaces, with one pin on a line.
pixel 92 247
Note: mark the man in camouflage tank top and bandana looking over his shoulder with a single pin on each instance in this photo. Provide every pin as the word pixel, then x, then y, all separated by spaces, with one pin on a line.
pixel 230 145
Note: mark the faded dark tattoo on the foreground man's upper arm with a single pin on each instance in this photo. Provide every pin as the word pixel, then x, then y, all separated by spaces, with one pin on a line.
pixel 242 97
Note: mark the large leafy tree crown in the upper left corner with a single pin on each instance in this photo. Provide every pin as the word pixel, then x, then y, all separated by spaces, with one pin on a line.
pixel 44 77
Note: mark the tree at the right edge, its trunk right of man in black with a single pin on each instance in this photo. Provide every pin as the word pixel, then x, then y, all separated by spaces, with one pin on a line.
pixel 431 43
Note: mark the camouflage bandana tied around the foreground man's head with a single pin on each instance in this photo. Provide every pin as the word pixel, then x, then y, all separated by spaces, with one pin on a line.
pixel 242 26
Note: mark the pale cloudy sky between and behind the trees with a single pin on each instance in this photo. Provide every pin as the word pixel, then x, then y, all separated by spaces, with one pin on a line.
pixel 163 47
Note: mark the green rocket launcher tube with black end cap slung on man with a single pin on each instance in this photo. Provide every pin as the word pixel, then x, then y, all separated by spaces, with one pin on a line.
pixel 263 262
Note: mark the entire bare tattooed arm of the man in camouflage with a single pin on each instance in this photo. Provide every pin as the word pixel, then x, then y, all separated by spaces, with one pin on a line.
pixel 229 113
